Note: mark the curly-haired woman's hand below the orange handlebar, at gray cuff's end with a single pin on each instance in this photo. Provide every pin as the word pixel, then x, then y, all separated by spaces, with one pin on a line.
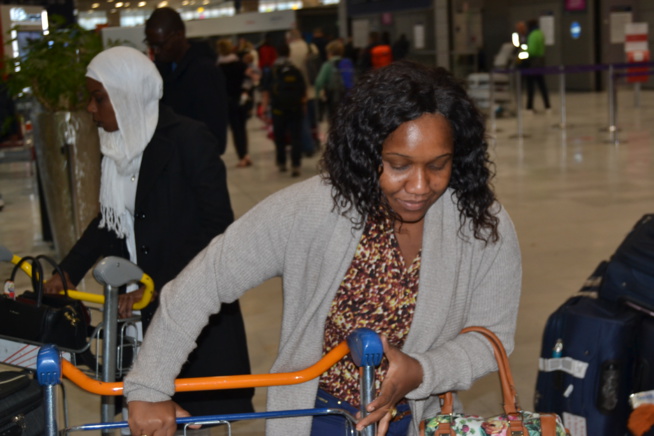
pixel 155 419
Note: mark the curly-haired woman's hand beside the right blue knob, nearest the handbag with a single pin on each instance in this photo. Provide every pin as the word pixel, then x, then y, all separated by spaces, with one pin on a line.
pixel 404 375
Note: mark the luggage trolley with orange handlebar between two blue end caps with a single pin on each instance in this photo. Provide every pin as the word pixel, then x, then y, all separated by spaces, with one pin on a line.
pixel 363 344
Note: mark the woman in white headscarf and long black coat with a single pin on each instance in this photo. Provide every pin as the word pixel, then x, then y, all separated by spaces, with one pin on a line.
pixel 163 197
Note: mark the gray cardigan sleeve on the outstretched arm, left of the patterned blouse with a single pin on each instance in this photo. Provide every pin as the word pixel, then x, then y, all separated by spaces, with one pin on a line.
pixel 249 252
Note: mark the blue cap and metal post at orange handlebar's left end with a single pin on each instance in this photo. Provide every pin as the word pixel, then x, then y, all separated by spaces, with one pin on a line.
pixel 48 373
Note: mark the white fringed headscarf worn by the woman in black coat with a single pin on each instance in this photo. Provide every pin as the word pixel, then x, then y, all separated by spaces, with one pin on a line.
pixel 135 87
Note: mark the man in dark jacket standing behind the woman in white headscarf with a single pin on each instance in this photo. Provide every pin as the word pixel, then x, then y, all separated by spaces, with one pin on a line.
pixel 193 85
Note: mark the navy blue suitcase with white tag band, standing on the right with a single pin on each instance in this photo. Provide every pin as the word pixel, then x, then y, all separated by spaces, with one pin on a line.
pixel 586 366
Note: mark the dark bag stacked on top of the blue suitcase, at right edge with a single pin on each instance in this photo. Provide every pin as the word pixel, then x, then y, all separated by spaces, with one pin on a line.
pixel 630 271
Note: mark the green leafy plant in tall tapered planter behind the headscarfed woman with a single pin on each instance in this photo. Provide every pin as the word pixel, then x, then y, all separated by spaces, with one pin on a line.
pixel 52 71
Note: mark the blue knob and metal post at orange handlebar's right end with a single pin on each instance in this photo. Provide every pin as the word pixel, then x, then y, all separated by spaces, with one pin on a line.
pixel 367 351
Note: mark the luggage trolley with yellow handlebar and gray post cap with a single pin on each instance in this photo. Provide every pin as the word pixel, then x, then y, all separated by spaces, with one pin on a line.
pixel 112 273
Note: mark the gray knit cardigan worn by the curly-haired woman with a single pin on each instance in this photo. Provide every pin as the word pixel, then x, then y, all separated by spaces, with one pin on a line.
pixel 297 234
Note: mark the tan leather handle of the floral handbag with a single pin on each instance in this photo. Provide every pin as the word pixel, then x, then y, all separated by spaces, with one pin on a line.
pixel 509 395
